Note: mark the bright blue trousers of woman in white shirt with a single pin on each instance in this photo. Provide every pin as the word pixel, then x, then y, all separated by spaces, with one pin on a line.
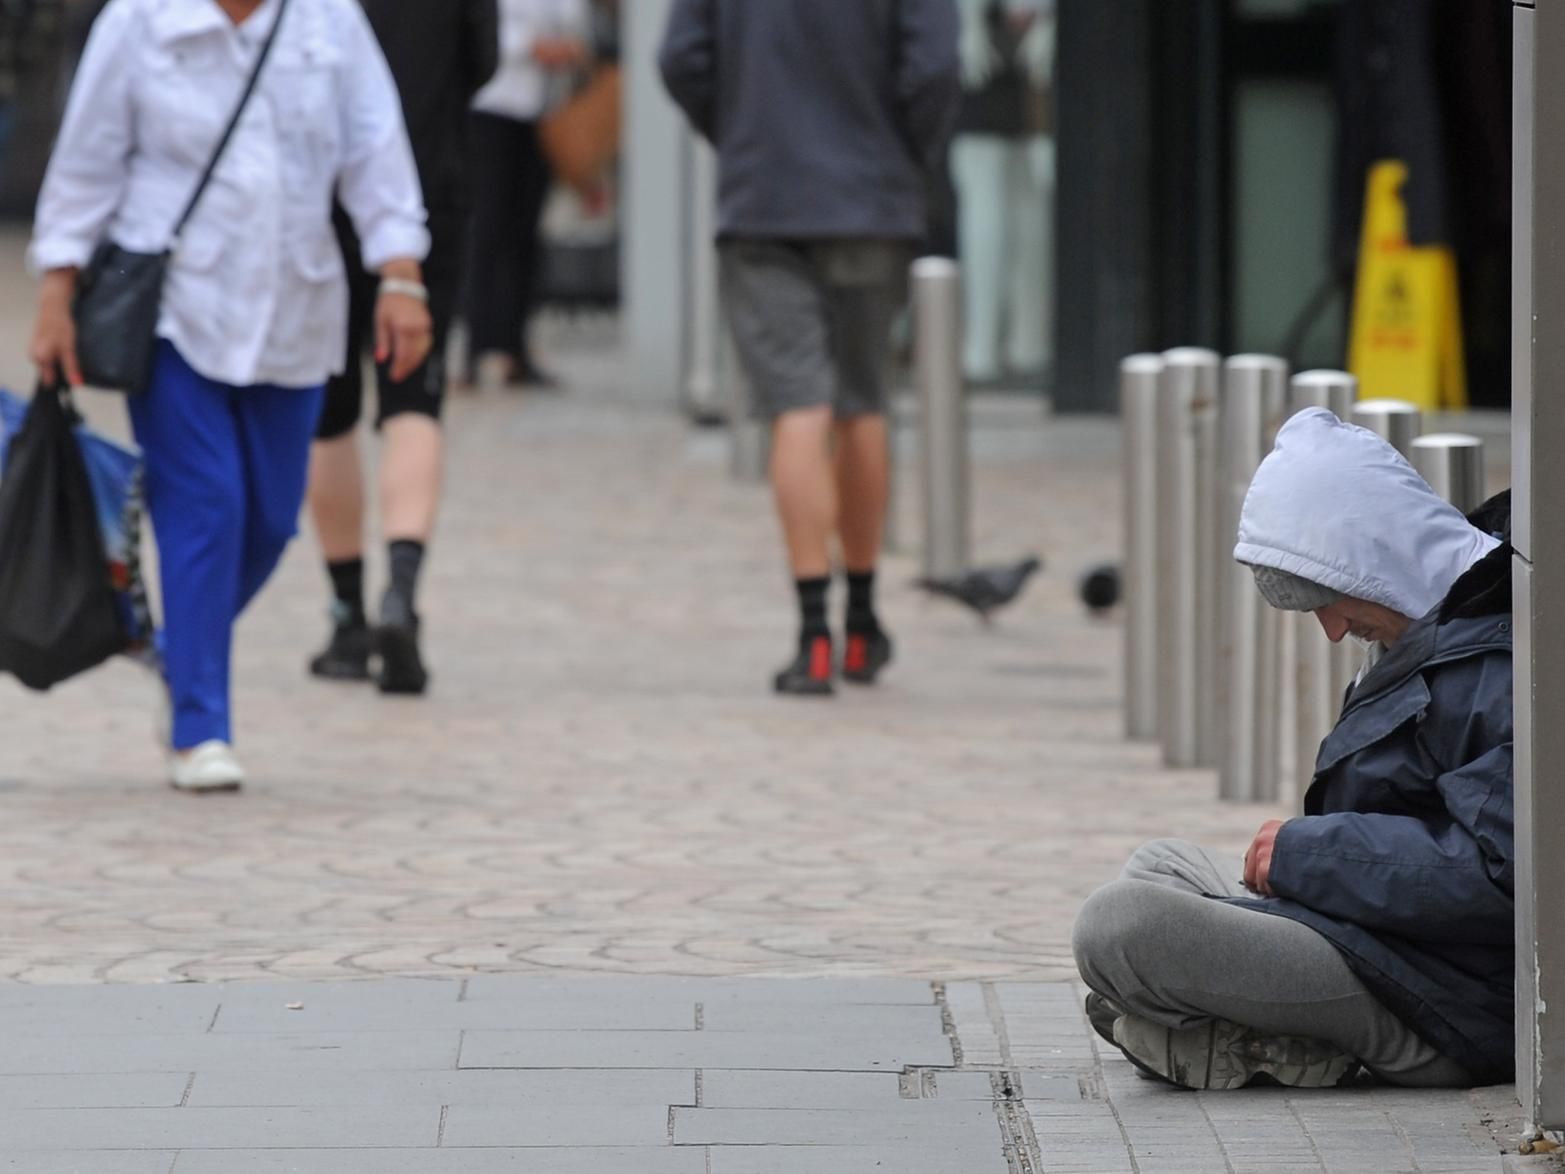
pixel 226 478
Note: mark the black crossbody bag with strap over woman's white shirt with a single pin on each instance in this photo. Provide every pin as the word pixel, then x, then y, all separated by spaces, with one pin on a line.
pixel 120 295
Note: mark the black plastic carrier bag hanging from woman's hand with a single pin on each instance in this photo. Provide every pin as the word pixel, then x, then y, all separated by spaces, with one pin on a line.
pixel 59 614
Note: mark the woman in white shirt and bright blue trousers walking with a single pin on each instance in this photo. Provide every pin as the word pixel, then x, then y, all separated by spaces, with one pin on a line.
pixel 254 311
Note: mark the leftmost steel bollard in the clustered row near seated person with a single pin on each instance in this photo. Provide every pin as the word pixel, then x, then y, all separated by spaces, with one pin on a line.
pixel 1139 409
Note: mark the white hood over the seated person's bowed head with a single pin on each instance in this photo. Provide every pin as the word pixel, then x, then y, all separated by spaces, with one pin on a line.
pixel 1336 505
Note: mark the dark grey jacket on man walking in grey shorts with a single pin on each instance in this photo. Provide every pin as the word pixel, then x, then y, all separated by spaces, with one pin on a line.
pixel 829 115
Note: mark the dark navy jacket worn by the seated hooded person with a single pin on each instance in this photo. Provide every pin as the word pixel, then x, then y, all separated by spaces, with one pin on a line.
pixel 1406 855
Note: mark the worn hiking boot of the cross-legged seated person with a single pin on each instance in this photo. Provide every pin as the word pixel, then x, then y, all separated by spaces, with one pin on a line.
pixel 1221 1056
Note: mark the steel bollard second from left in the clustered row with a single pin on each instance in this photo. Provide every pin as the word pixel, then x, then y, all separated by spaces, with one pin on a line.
pixel 1187 613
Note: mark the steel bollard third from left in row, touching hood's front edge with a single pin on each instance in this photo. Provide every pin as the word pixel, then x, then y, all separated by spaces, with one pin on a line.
pixel 1248 675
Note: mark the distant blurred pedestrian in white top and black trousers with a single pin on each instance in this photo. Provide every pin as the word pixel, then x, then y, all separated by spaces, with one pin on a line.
pixel 542 45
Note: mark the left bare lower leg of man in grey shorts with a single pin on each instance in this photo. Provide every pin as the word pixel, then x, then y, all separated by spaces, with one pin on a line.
pixel 805 488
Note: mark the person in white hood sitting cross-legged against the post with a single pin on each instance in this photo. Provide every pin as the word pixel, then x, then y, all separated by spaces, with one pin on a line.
pixel 1376 929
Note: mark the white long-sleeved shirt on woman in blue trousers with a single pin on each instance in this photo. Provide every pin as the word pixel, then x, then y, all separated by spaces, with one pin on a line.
pixel 256 293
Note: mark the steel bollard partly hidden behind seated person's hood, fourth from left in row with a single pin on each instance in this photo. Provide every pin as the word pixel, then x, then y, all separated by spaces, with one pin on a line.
pixel 1323 671
